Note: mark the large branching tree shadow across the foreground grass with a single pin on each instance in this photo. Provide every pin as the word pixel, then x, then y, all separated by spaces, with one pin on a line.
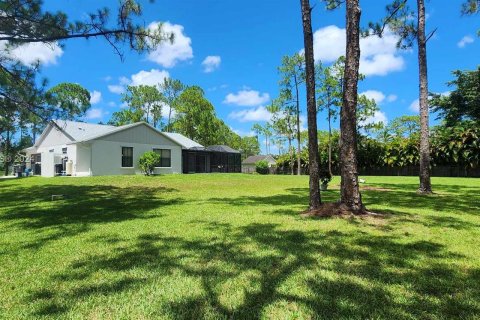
pixel 274 271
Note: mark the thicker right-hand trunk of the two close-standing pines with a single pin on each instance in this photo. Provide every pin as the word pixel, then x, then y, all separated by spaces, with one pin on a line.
pixel 350 193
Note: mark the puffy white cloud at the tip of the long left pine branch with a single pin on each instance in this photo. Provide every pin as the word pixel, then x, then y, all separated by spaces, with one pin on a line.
pixel 169 54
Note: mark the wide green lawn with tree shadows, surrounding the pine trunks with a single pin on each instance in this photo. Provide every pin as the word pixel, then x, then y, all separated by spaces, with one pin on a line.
pixel 233 246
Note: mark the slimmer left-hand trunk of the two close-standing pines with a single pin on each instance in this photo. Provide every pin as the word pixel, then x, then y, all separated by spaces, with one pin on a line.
pixel 313 156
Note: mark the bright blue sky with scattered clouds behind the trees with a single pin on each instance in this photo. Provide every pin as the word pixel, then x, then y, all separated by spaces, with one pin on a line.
pixel 245 41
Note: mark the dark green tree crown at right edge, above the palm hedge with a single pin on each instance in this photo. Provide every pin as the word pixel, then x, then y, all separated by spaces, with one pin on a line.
pixel 462 103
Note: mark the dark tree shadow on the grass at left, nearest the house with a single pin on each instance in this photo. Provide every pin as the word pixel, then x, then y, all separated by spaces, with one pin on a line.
pixel 32 208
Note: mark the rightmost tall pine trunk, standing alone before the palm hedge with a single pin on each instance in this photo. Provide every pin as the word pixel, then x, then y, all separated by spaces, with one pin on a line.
pixel 425 185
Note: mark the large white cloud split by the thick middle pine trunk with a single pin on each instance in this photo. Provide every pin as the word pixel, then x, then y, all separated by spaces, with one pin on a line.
pixel 379 56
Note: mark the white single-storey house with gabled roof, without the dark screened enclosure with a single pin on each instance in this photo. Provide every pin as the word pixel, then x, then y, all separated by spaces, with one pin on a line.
pixel 84 149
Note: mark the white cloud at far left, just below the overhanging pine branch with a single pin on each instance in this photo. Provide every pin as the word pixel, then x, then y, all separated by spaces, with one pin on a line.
pixel 31 53
